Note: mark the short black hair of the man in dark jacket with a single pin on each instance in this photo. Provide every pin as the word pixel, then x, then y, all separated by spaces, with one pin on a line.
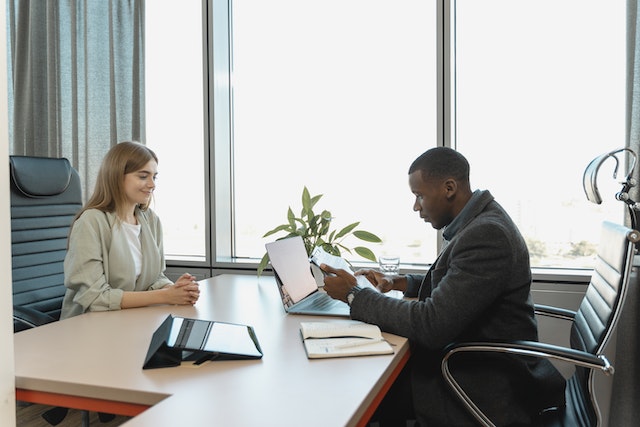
pixel 441 163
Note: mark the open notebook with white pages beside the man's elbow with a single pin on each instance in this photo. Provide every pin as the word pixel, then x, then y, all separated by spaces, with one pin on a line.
pixel 342 339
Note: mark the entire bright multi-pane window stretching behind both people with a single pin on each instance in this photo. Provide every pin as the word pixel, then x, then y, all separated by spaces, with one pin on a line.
pixel 341 96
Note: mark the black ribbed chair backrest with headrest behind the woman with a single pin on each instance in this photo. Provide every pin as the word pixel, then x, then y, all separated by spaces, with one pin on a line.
pixel 45 196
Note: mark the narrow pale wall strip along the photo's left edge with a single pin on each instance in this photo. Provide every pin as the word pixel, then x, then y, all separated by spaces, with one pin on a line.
pixel 7 385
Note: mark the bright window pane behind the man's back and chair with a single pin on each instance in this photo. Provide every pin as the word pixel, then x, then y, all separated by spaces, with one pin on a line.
pixel 539 94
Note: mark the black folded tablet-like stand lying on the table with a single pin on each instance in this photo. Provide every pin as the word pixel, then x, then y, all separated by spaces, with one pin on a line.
pixel 180 339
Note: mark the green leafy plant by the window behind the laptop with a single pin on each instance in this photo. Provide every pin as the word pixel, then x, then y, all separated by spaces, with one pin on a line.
pixel 315 230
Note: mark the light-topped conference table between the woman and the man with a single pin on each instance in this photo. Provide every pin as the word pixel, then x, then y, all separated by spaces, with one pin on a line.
pixel 94 362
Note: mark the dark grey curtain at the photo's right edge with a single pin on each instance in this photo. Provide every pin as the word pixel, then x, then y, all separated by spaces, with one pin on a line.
pixel 625 410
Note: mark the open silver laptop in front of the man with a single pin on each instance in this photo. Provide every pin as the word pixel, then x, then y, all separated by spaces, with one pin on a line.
pixel 298 287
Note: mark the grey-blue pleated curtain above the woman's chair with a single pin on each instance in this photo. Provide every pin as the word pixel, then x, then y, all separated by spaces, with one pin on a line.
pixel 76 79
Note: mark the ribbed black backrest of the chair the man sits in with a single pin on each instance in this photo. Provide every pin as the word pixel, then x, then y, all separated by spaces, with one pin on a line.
pixel 599 311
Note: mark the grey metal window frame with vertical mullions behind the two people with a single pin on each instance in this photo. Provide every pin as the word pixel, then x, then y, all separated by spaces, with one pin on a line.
pixel 219 136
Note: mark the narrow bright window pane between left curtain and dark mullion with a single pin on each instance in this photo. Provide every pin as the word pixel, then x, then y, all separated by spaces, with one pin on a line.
pixel 175 123
